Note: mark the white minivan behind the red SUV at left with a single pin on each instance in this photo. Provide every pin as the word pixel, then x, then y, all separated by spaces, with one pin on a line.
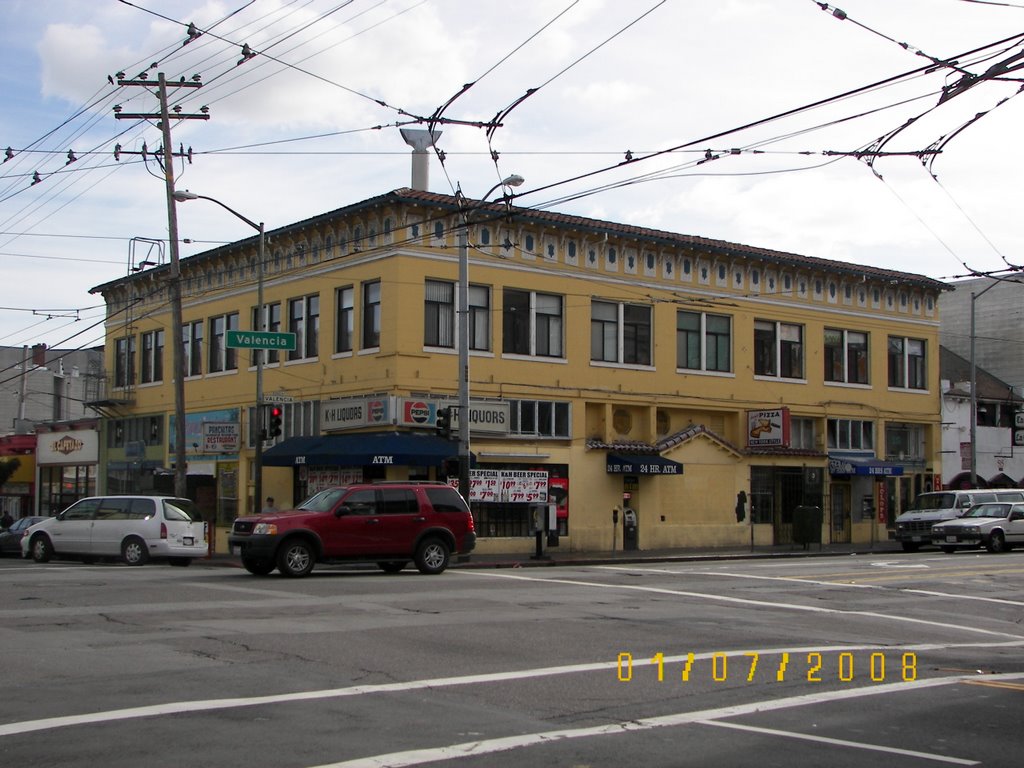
pixel 135 529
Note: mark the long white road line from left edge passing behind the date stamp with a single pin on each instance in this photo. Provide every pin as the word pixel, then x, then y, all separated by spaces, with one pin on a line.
pixel 178 708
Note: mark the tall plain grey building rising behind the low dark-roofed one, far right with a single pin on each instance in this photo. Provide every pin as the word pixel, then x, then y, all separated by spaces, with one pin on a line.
pixel 999 319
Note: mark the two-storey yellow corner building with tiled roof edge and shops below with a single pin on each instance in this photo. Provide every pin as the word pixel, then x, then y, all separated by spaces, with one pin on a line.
pixel 703 391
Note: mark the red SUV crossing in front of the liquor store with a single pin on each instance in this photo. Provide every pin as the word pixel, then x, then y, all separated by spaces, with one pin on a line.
pixel 391 524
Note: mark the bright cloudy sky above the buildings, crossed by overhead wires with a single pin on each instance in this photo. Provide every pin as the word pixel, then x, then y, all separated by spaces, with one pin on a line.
pixel 844 133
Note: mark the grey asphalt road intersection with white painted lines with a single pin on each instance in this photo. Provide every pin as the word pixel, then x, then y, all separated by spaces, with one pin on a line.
pixel 889 660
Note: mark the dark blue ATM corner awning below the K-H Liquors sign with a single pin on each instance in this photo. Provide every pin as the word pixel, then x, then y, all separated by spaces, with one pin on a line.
pixel 362 450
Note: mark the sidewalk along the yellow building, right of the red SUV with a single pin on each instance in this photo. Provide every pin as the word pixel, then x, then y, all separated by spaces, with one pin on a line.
pixel 552 557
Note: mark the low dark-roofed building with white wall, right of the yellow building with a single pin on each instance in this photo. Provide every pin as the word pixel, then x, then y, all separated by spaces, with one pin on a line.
pixel 999 462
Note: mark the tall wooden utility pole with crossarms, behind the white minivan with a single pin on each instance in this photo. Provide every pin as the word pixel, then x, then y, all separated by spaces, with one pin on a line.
pixel 178 347
